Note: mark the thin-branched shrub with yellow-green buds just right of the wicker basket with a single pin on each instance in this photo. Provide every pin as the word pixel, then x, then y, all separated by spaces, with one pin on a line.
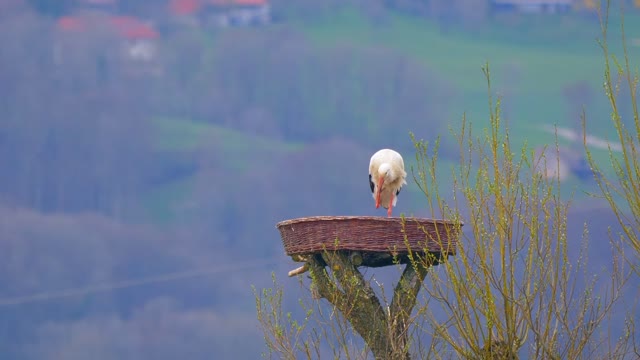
pixel 511 291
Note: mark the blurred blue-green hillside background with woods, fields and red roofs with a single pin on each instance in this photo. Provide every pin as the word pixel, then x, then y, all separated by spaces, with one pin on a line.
pixel 149 147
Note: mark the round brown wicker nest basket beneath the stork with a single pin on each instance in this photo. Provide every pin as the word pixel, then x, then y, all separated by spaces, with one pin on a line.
pixel 380 241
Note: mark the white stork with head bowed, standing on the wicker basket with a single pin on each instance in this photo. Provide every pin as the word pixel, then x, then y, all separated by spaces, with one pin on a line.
pixel 386 177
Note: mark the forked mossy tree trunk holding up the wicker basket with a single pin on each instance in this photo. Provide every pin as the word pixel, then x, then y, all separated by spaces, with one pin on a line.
pixel 385 332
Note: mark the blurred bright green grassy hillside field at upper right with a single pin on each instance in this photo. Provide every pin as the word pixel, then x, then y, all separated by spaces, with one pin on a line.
pixel 531 62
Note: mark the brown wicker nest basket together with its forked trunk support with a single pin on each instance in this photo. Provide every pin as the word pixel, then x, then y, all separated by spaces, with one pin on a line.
pixel 333 247
